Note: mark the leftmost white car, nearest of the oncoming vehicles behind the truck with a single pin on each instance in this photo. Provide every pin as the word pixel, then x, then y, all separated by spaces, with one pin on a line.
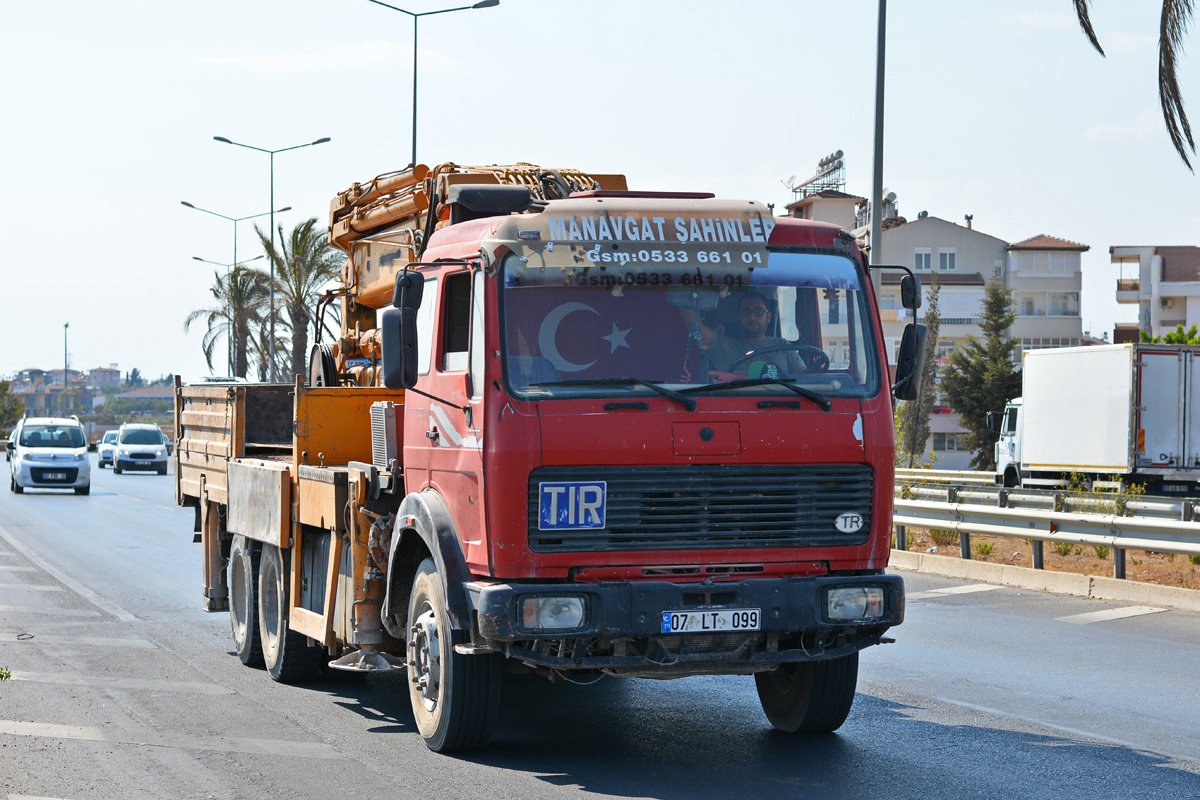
pixel 50 453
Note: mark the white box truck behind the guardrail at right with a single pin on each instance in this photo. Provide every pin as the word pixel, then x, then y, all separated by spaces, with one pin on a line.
pixel 1112 414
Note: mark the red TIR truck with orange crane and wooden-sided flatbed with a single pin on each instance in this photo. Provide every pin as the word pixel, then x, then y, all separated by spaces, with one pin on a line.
pixel 567 429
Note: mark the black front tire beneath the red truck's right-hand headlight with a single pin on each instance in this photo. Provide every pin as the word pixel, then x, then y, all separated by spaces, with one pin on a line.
pixel 809 697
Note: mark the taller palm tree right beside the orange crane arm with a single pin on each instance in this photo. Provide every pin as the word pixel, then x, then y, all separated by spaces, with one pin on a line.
pixel 304 264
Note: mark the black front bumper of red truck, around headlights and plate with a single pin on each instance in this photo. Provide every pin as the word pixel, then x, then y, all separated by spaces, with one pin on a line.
pixel 795 625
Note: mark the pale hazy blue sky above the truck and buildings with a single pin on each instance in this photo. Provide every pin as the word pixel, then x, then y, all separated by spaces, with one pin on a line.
pixel 999 111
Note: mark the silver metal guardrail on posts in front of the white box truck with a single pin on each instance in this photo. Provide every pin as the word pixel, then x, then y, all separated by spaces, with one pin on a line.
pixel 1155 525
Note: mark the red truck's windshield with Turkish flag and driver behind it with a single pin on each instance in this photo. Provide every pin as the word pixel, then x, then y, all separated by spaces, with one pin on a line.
pixel 751 318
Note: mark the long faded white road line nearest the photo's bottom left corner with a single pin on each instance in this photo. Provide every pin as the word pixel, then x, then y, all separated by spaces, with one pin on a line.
pixel 164 739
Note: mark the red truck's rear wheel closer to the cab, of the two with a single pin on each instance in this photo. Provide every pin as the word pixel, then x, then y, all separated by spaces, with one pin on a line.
pixel 286 654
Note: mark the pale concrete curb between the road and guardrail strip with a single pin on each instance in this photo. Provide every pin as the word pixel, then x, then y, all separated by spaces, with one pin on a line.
pixel 1063 584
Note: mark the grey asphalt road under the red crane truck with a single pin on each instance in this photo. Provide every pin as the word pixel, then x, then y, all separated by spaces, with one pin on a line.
pixel 124 688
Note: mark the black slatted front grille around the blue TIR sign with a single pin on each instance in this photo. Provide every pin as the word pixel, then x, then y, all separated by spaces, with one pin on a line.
pixel 712 507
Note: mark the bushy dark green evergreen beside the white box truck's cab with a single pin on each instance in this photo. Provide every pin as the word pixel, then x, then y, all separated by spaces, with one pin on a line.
pixel 981 377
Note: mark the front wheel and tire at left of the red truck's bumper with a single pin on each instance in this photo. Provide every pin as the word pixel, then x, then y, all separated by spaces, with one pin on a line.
pixel 455 699
